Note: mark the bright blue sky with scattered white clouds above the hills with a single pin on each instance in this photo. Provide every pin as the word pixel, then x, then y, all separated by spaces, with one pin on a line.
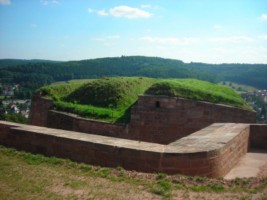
pixel 212 31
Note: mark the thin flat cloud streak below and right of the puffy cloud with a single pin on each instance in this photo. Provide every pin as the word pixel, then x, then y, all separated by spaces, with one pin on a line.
pixel 170 40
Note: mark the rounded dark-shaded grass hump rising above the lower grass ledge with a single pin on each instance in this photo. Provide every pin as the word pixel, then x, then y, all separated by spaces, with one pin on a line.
pixel 110 92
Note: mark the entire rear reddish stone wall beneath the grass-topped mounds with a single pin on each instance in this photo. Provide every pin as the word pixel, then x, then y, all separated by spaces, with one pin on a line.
pixel 157 119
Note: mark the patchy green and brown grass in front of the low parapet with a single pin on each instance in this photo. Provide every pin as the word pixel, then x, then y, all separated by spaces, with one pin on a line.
pixel 29 176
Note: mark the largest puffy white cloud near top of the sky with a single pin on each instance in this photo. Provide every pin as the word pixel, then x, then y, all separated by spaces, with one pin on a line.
pixel 129 12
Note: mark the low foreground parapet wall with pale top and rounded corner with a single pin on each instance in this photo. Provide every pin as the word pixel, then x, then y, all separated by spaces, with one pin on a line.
pixel 212 151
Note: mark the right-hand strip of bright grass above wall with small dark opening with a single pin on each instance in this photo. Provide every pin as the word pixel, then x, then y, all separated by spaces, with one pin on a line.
pixel 198 90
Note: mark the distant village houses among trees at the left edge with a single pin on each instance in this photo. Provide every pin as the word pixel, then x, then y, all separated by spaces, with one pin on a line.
pixel 10 105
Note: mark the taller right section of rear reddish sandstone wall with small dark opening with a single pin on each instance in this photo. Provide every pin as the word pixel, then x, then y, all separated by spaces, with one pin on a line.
pixel 164 119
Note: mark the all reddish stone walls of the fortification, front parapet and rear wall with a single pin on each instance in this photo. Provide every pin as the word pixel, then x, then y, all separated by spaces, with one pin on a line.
pixel 170 135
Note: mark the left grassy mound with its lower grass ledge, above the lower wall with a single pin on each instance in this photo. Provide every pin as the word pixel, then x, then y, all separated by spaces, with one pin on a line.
pixel 107 99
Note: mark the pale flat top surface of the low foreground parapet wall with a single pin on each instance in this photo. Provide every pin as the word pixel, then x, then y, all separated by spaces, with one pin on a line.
pixel 212 138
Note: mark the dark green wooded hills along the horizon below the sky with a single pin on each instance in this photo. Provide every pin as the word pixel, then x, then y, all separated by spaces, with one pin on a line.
pixel 33 74
